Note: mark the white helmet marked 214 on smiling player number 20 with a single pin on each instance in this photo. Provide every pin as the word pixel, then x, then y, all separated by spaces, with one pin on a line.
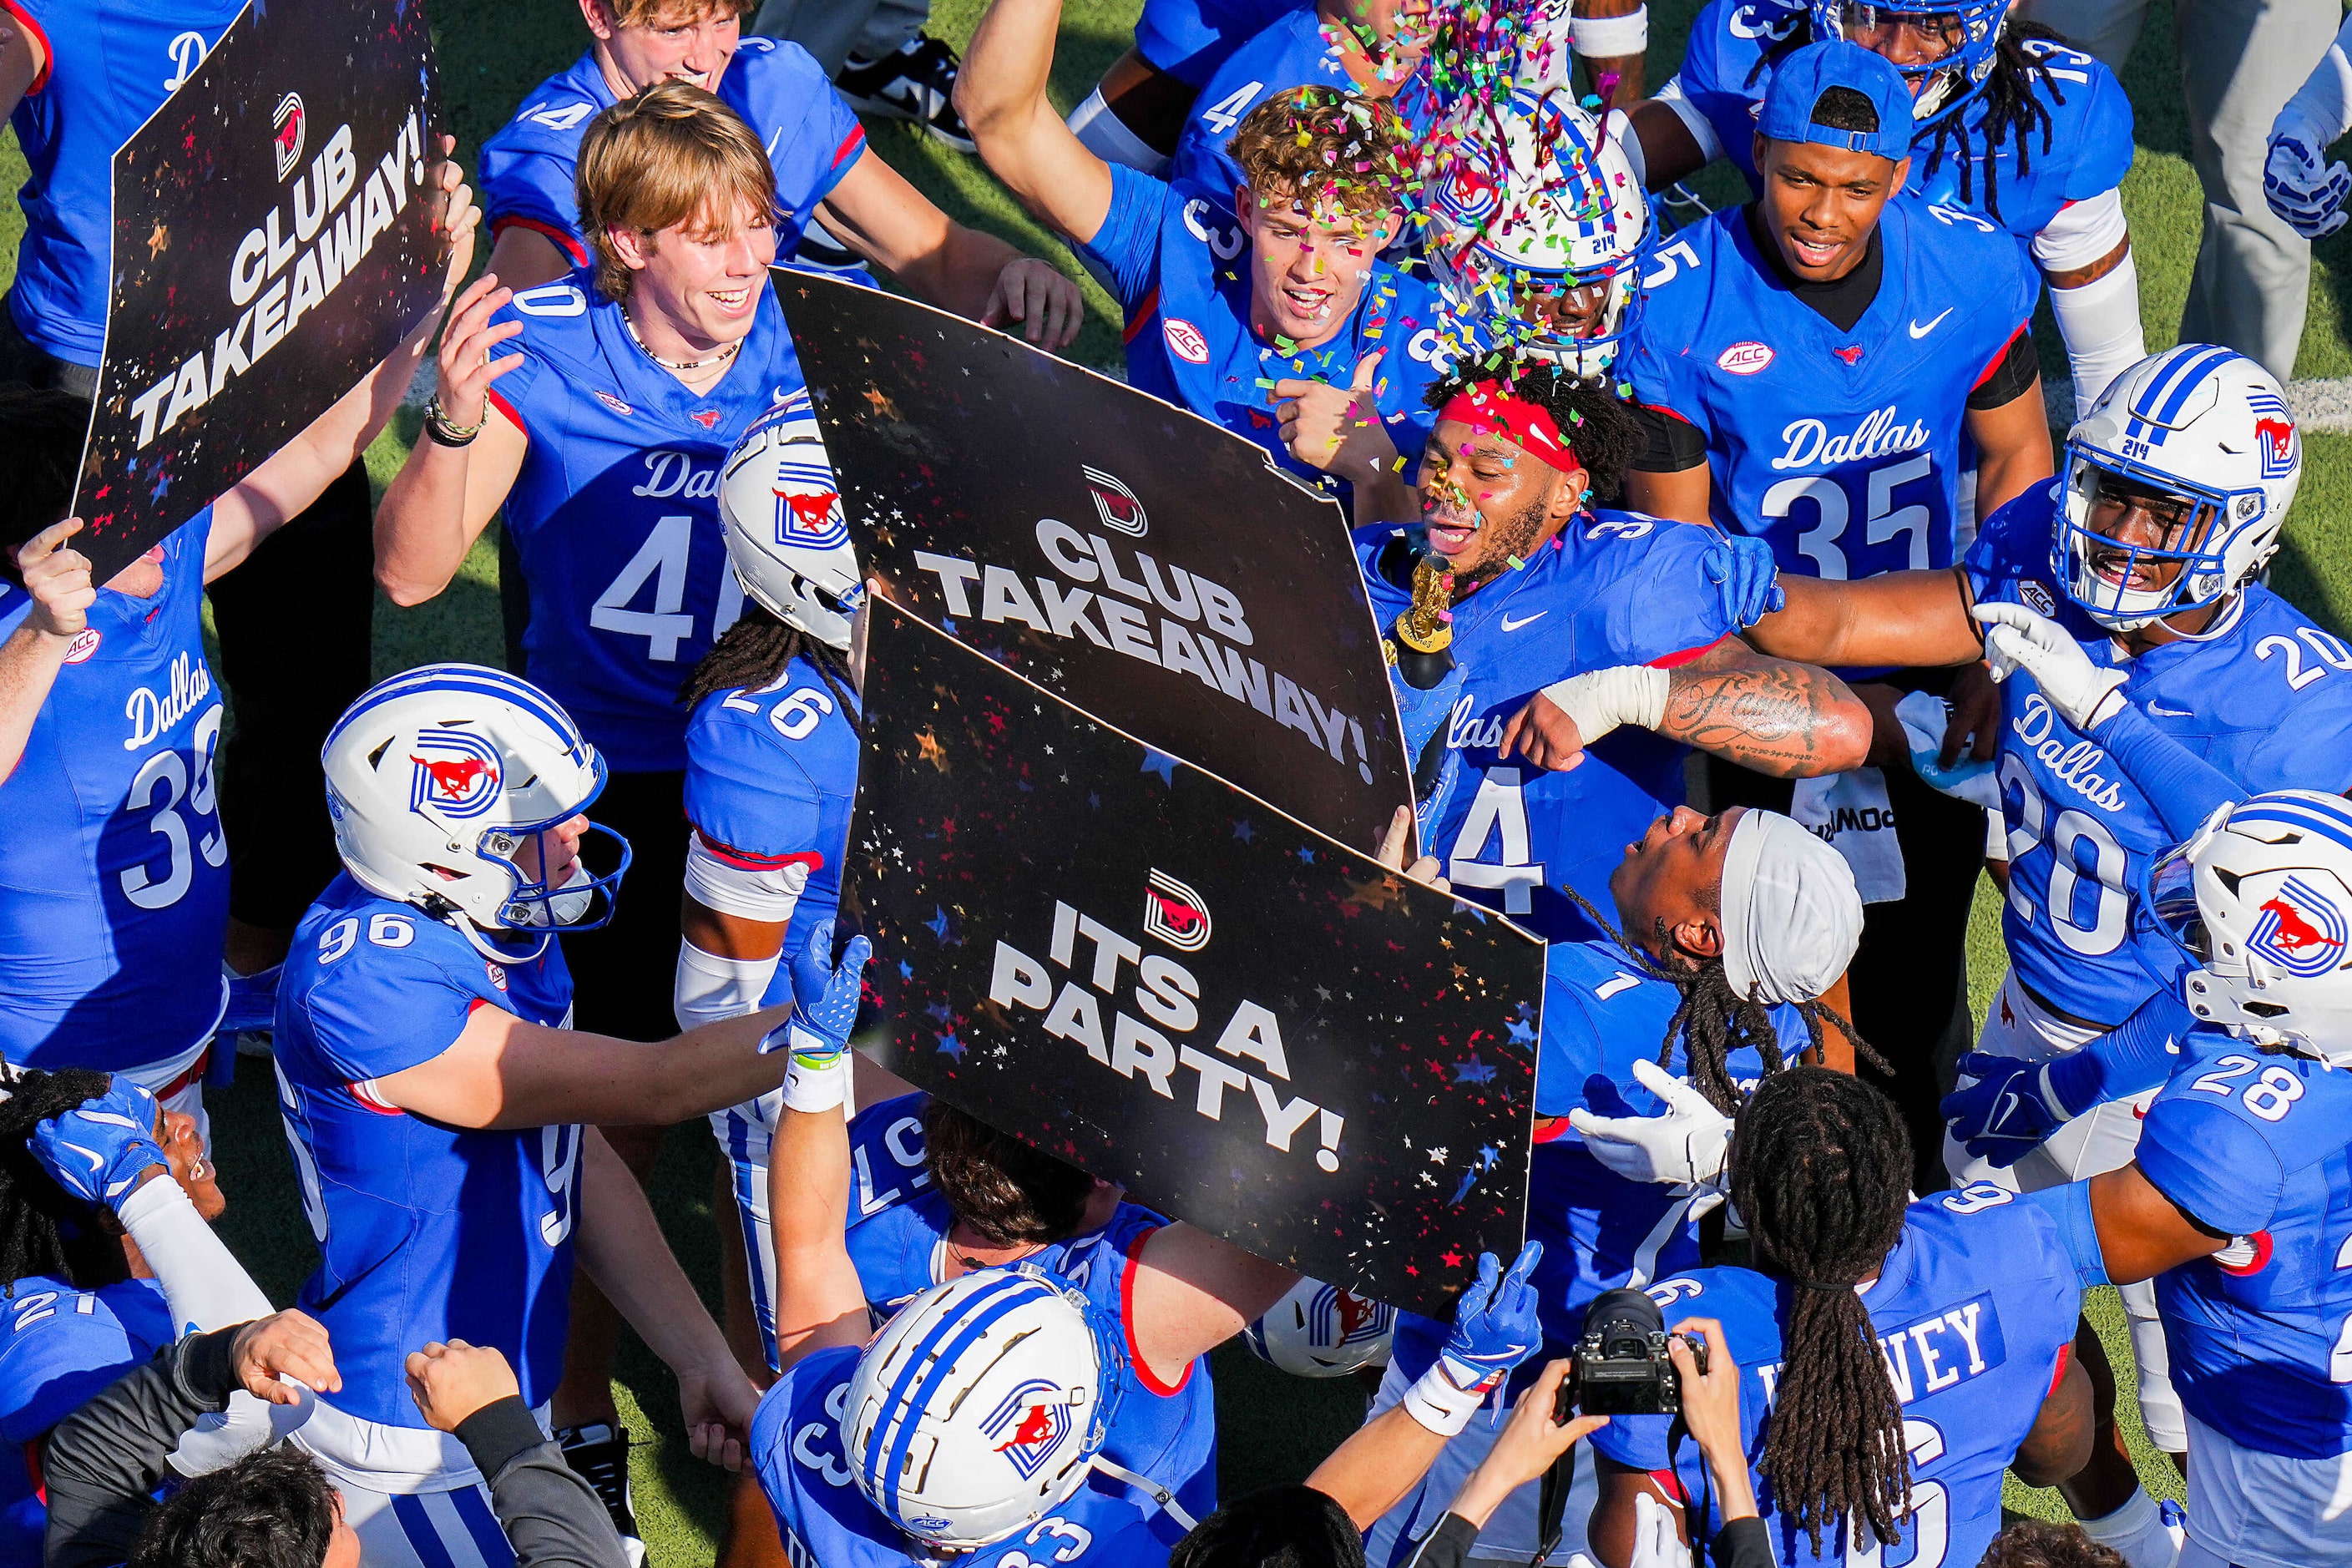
pixel 2207 427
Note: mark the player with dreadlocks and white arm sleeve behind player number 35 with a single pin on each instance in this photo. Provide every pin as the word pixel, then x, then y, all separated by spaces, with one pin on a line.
pixel 2007 123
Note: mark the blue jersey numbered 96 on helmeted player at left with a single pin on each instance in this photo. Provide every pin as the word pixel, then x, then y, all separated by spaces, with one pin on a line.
pixel 425 1231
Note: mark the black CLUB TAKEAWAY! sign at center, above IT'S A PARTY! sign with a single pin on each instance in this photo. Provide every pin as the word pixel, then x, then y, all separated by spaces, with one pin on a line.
pixel 1118 551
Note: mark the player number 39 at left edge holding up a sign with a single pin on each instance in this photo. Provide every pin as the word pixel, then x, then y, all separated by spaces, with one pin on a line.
pixel 114 869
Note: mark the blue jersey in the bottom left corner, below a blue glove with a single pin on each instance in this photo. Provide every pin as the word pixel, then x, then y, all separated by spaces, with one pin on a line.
pixel 58 1348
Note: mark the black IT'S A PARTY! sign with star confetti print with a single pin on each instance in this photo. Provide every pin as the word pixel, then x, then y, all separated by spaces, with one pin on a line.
pixel 1156 977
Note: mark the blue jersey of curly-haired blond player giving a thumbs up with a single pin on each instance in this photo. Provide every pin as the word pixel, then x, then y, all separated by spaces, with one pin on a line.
pixel 1180 272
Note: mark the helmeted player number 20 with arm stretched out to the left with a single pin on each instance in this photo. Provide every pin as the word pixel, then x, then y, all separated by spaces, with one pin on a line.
pixel 2146 558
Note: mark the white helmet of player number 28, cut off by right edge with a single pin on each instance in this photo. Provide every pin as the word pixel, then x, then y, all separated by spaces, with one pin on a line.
pixel 2264 904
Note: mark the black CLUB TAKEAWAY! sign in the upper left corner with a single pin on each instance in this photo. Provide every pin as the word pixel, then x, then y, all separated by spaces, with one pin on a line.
pixel 272 246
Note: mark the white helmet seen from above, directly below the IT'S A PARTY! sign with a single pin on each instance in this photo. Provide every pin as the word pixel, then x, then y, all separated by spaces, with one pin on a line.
pixel 982 1407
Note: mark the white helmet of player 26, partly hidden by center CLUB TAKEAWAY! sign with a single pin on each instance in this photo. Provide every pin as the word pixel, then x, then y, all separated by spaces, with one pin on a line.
pixel 787 532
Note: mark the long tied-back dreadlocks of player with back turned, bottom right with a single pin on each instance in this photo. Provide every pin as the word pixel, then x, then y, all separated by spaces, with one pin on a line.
pixel 1822 1174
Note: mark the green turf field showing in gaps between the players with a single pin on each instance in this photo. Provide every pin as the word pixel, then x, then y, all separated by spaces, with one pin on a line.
pixel 1271 1428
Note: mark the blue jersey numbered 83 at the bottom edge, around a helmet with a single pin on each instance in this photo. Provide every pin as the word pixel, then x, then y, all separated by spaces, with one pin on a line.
pixel 827 1522
